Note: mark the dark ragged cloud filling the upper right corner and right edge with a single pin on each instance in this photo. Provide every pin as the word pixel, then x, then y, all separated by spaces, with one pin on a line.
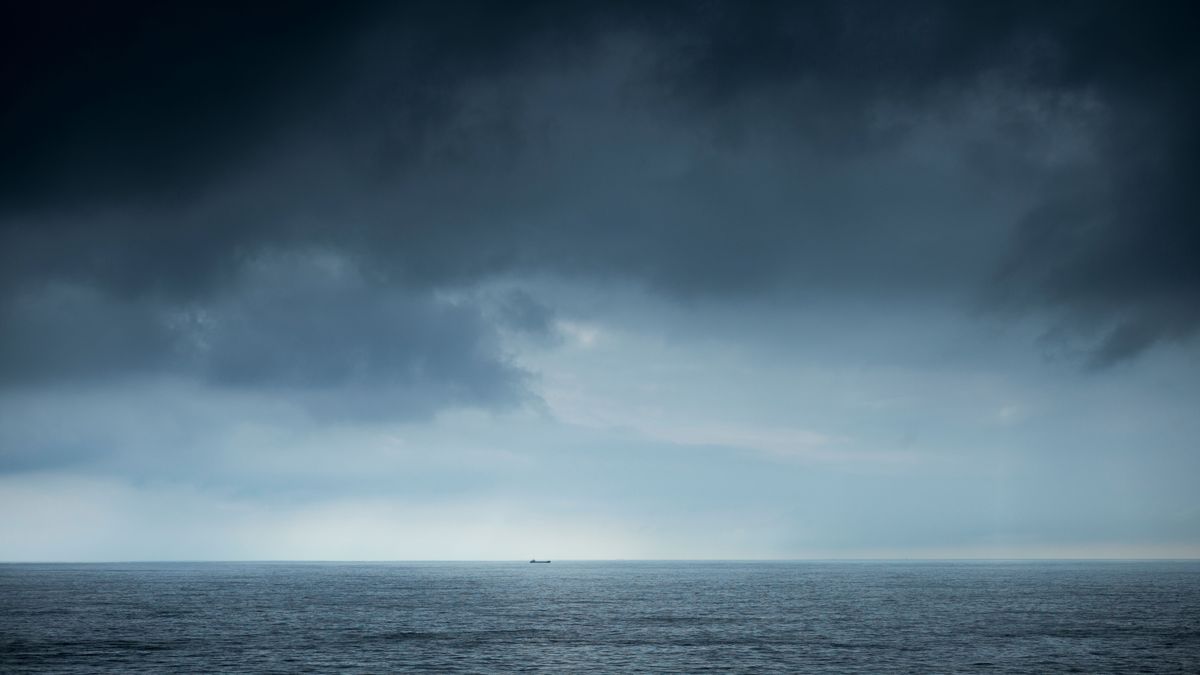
pixel 1113 247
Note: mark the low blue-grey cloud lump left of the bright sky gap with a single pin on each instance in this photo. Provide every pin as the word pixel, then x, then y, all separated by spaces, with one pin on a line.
pixel 311 324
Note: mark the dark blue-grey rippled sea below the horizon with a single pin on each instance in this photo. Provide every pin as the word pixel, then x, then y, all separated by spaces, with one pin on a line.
pixel 603 617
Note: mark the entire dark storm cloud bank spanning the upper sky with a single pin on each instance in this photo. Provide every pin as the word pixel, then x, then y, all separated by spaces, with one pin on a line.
pixel 158 153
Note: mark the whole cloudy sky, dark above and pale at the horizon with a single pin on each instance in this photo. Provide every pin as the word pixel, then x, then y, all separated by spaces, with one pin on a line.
pixel 580 280
